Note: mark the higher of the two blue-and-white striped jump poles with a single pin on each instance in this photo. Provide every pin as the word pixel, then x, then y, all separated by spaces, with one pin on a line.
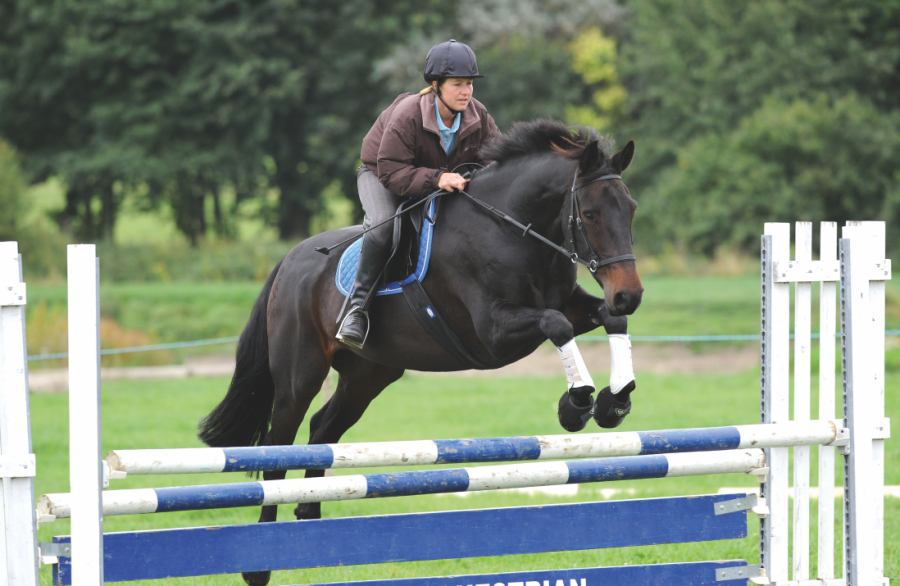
pixel 462 451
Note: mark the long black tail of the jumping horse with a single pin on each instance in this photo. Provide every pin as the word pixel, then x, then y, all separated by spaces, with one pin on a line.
pixel 243 416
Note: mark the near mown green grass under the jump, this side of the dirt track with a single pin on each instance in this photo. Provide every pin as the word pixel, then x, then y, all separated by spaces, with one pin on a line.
pixel 164 414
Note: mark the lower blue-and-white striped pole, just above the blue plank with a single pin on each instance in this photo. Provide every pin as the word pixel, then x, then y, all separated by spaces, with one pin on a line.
pixel 337 488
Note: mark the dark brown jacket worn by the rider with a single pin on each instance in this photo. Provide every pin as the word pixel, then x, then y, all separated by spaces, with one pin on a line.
pixel 404 149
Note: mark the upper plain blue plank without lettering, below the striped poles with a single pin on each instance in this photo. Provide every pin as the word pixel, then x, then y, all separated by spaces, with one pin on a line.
pixel 425 536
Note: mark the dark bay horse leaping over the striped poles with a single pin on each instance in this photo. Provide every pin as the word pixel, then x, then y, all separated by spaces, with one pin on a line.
pixel 503 292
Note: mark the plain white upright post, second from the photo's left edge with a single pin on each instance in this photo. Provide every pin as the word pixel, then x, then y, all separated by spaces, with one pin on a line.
pixel 85 468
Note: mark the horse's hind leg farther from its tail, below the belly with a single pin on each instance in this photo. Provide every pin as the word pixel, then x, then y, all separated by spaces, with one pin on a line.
pixel 360 382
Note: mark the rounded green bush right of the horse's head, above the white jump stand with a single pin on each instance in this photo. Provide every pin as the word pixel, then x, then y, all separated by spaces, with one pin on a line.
pixel 802 160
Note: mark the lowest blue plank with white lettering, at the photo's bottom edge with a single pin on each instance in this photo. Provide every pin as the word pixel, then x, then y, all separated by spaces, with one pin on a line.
pixel 687 574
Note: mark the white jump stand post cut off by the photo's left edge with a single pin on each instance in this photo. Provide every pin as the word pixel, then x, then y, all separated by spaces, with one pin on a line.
pixel 18 542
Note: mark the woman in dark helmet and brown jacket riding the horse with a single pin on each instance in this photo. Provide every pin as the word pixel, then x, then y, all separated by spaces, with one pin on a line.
pixel 410 152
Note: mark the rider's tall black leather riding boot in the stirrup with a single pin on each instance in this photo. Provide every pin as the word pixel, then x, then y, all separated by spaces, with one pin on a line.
pixel 355 328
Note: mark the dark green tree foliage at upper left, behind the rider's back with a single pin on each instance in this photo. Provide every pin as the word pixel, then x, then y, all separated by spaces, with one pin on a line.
pixel 183 101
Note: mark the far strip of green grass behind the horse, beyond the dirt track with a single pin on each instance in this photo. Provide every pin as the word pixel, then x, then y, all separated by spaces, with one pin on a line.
pixel 671 306
